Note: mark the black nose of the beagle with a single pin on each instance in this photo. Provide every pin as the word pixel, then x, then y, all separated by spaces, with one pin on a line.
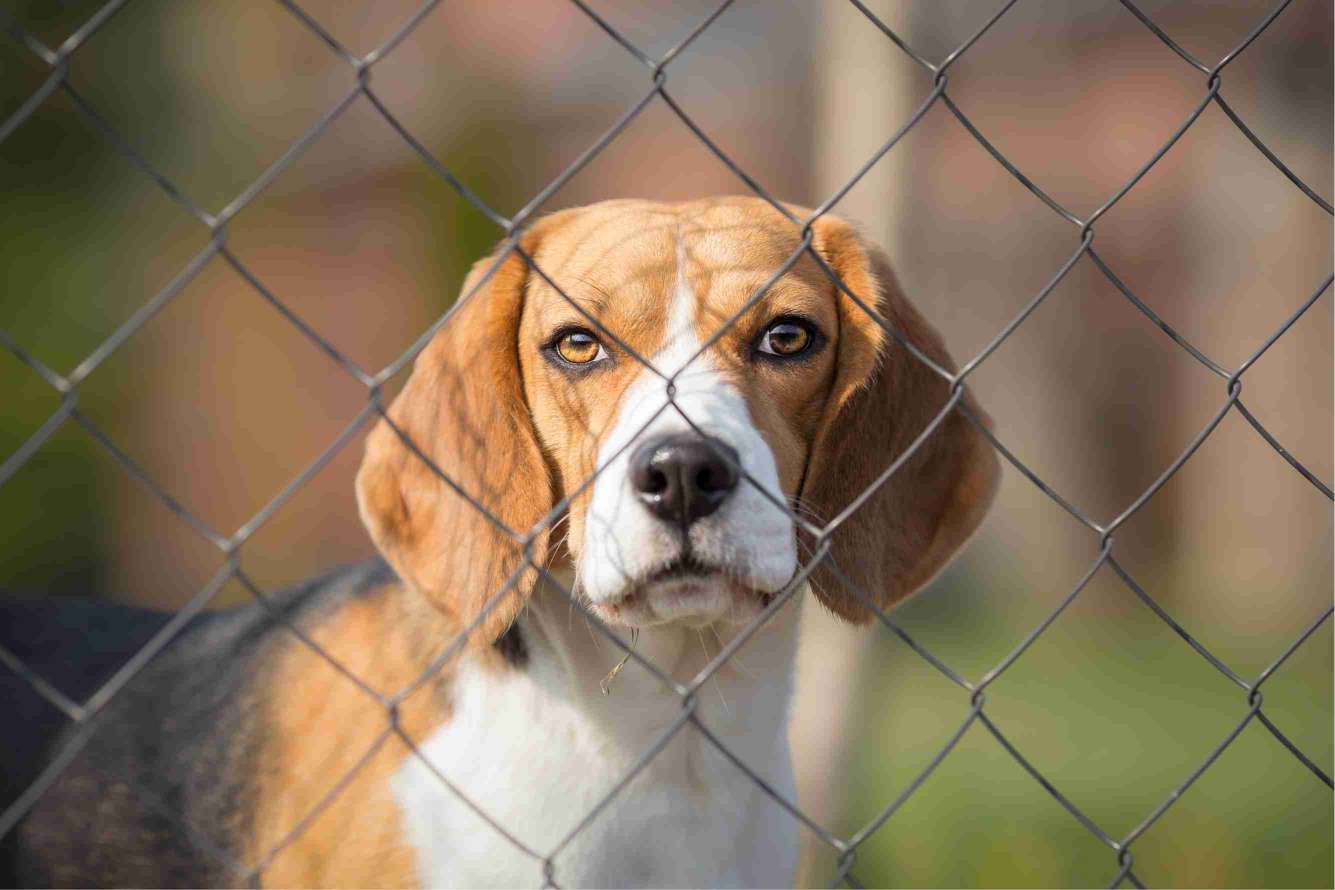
pixel 684 478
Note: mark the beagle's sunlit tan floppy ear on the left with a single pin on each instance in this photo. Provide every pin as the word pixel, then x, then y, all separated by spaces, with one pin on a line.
pixel 463 408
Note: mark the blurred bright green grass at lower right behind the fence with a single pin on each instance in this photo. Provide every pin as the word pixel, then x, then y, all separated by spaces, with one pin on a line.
pixel 1117 712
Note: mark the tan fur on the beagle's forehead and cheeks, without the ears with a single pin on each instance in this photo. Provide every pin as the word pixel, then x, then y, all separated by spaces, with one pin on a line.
pixel 619 261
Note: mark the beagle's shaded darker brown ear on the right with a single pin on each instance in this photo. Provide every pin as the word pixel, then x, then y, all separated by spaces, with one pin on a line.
pixel 882 400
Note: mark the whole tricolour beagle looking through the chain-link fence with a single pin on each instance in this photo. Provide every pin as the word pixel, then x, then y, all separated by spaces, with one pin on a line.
pixel 503 761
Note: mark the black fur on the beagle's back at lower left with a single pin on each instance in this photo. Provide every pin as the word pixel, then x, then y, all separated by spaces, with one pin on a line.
pixel 158 788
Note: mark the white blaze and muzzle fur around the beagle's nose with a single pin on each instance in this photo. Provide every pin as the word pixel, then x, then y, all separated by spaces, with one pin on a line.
pixel 748 537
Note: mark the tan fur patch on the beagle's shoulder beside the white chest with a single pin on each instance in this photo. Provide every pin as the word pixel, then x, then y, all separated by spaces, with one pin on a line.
pixel 321 727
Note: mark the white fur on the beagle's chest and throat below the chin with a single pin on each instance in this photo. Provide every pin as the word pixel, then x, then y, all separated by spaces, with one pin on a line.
pixel 539 749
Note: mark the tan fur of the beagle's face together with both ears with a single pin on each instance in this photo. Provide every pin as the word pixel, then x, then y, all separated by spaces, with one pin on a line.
pixel 497 418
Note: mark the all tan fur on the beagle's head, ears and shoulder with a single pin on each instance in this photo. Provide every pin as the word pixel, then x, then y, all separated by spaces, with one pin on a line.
pixel 519 434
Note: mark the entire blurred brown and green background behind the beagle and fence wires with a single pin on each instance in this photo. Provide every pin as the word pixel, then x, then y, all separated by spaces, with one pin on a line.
pixel 222 401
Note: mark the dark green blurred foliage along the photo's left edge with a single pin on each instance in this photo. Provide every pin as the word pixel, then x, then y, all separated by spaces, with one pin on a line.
pixel 63 195
